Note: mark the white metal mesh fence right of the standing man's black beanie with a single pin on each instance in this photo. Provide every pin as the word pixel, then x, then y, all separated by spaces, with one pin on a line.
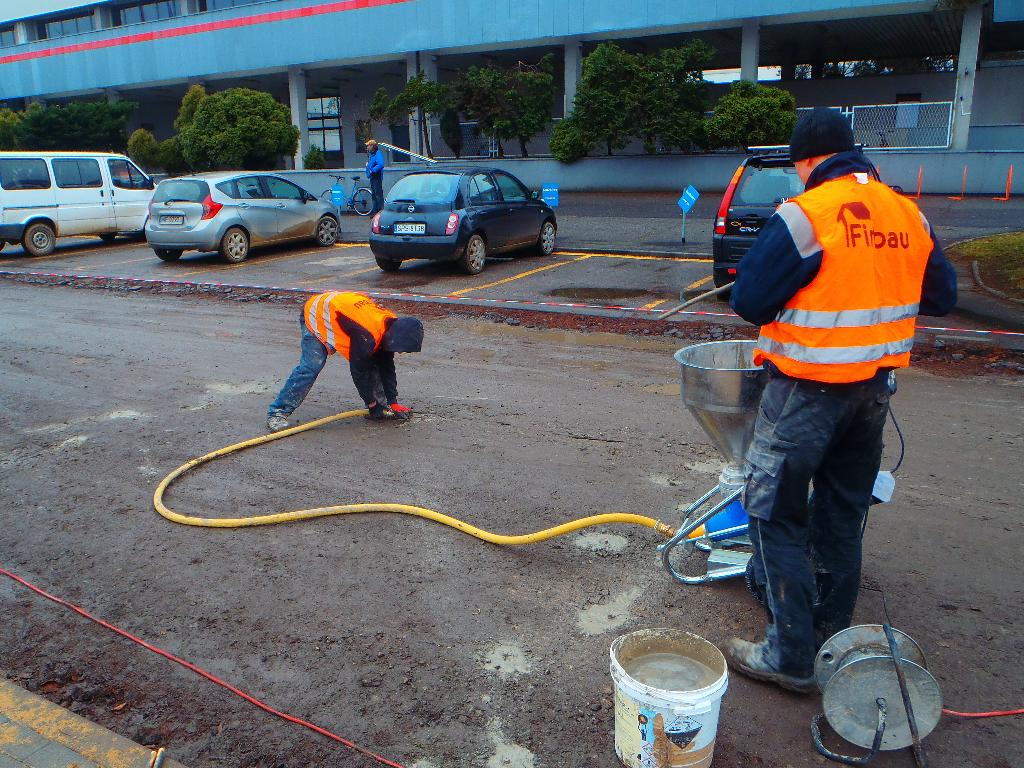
pixel 925 125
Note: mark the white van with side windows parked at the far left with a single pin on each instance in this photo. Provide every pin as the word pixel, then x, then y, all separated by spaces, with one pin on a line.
pixel 51 195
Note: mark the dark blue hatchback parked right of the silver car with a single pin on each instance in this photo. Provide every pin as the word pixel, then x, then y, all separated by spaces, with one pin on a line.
pixel 462 216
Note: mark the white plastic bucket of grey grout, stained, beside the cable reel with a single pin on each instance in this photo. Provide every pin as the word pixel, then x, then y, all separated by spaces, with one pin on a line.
pixel 658 729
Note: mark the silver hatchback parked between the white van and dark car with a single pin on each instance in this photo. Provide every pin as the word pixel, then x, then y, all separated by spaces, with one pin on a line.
pixel 235 211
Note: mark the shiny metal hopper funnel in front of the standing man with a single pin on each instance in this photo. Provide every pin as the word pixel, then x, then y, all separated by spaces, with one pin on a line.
pixel 722 388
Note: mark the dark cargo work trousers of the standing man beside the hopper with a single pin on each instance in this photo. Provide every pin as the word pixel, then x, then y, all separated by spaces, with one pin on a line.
pixel 807 551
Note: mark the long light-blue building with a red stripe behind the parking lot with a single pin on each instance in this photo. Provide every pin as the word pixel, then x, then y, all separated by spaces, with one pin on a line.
pixel 326 60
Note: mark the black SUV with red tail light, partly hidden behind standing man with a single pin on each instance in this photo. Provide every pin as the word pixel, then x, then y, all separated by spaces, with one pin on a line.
pixel 762 183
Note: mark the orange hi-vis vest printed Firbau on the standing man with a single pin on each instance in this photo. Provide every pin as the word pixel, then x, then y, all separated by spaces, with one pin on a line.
pixel 858 316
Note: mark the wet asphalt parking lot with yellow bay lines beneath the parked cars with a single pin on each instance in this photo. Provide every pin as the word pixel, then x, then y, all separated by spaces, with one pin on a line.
pixel 618 250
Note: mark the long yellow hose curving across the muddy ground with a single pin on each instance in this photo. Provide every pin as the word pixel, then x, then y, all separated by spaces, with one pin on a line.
pixel 345 509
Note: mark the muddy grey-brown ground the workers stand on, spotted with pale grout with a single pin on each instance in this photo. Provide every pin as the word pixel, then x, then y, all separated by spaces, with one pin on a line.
pixel 411 638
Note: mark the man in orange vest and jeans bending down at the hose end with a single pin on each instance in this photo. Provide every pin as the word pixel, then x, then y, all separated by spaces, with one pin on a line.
pixel 359 330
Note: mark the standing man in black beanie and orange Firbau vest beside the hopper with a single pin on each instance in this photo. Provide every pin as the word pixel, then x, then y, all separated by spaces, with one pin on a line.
pixel 836 280
